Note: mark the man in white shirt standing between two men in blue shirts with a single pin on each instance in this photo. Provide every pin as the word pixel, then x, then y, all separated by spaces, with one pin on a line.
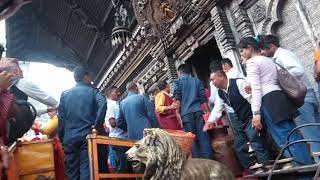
pixel 112 115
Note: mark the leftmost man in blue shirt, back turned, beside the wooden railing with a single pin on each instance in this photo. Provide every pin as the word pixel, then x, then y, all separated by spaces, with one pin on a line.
pixel 81 108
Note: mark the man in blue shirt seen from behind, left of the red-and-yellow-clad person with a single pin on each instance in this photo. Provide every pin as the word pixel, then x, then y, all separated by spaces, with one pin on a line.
pixel 134 113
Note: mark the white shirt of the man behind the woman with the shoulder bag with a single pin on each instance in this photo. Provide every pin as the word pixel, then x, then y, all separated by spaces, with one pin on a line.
pixel 292 64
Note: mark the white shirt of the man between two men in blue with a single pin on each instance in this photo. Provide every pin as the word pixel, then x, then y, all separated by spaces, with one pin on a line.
pixel 113 111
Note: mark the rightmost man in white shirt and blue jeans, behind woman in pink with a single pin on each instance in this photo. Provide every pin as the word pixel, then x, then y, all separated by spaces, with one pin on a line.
pixel 309 112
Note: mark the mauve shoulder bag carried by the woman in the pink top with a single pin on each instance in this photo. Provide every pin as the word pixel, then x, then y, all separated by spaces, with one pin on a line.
pixel 295 89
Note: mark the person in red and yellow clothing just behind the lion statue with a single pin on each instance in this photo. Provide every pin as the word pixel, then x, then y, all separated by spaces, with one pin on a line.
pixel 166 110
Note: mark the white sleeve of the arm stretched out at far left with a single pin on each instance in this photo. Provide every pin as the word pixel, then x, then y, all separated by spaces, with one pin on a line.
pixel 33 91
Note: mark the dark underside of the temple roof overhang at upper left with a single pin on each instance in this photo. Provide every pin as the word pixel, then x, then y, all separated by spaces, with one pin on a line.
pixel 65 33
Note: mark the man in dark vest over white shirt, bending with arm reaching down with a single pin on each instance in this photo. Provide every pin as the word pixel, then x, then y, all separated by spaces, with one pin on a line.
pixel 232 92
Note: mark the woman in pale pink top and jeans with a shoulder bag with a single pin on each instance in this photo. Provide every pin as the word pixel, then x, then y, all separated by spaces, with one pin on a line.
pixel 277 111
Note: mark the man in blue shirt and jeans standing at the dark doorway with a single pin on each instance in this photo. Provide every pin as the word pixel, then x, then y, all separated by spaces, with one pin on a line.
pixel 190 94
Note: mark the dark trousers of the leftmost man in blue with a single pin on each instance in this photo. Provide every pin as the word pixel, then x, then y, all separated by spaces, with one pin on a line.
pixel 77 161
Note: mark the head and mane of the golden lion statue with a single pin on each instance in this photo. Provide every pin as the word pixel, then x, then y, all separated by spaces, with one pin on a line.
pixel 160 153
